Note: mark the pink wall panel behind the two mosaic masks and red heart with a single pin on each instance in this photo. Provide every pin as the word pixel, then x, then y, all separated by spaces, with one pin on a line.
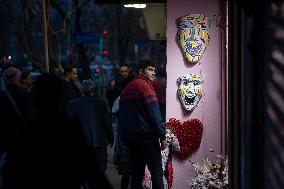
pixel 211 105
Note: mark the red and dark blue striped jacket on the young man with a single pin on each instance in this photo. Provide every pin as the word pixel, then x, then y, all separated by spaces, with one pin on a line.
pixel 139 114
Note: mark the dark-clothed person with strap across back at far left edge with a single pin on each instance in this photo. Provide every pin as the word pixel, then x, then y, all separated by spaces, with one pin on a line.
pixel 15 111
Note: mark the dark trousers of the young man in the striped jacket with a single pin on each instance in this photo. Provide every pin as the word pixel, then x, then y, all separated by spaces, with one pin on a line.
pixel 145 152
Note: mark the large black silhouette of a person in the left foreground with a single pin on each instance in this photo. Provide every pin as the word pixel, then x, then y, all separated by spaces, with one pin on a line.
pixel 53 151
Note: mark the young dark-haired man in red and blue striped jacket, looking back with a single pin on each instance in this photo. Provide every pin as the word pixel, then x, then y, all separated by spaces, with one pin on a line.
pixel 141 127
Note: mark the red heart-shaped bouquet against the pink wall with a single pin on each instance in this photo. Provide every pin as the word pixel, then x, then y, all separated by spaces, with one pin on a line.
pixel 189 134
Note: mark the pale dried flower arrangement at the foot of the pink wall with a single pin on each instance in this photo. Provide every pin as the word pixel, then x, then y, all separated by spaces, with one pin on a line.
pixel 211 175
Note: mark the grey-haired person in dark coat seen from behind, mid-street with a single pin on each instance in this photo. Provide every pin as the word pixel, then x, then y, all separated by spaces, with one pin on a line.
pixel 95 120
